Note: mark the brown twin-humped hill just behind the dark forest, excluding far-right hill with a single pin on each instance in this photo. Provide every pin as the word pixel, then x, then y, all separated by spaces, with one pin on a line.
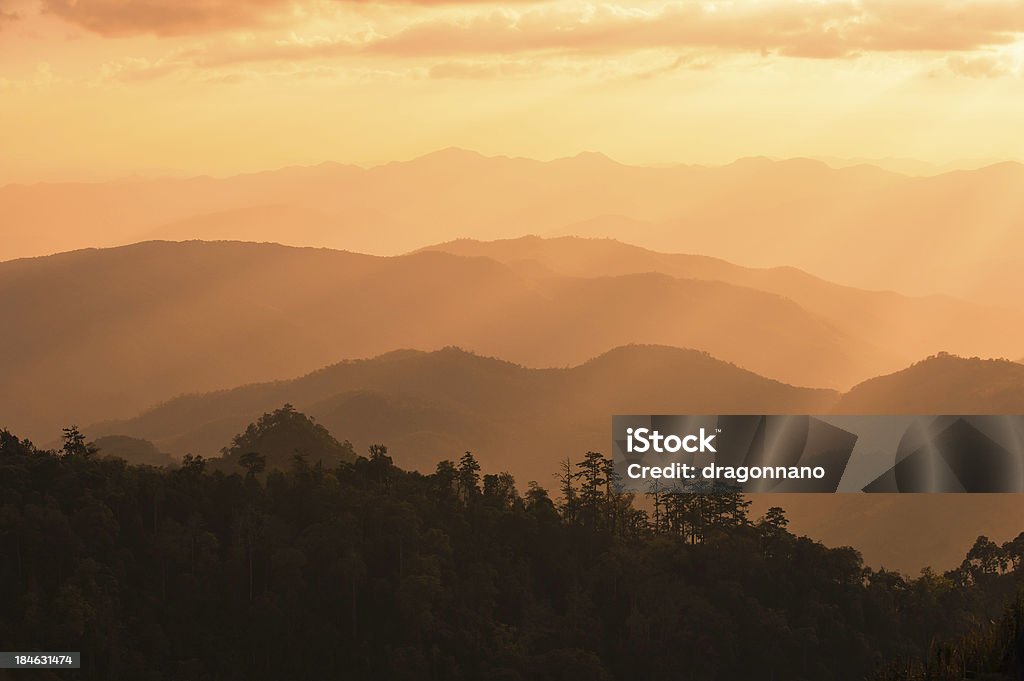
pixel 430 406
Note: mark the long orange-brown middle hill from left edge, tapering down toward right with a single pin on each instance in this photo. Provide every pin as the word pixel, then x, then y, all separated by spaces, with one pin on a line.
pixel 100 334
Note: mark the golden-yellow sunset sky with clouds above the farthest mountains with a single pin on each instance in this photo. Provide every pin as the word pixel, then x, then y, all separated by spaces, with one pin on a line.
pixel 96 89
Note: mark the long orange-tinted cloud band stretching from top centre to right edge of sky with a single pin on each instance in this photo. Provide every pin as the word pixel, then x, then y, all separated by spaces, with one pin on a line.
pixel 819 30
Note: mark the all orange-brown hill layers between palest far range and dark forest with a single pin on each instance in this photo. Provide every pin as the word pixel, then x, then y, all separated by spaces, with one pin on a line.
pixel 560 333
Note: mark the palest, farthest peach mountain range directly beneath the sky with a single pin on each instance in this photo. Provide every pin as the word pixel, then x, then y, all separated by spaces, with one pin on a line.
pixel 861 226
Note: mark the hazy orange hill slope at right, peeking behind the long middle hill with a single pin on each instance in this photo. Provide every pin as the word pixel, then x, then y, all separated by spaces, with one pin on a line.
pixel 908 328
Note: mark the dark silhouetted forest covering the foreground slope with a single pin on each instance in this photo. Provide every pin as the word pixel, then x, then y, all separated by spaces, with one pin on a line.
pixel 294 559
